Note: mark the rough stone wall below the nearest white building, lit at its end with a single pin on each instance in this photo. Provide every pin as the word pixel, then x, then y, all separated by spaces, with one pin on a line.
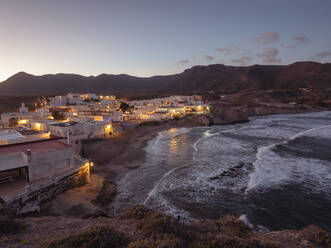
pixel 31 201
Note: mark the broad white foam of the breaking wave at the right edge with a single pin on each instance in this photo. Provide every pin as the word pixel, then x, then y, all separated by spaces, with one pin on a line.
pixel 271 169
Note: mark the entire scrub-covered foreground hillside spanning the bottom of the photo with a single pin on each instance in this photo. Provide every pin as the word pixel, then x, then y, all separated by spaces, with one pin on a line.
pixel 141 227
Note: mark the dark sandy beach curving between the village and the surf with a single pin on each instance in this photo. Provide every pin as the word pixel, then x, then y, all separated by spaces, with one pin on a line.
pixel 117 155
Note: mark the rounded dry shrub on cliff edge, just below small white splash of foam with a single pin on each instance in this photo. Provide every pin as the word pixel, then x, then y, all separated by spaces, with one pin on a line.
pixel 232 226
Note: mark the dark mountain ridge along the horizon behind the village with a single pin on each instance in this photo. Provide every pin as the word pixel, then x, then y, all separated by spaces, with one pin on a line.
pixel 198 79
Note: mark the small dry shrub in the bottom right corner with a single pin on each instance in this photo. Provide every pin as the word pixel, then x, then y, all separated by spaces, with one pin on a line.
pixel 315 235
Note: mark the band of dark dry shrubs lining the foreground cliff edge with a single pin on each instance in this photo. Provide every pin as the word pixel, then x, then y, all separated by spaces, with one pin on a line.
pixel 156 230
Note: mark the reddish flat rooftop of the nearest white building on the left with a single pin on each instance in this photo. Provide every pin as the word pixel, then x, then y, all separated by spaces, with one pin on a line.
pixel 35 147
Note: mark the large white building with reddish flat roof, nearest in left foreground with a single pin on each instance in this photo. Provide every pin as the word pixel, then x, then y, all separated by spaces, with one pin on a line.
pixel 29 166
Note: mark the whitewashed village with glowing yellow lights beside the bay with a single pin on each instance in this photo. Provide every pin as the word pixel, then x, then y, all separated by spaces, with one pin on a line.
pixel 41 151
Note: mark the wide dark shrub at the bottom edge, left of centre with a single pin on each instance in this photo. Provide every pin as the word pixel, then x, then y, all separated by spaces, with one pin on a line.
pixel 100 236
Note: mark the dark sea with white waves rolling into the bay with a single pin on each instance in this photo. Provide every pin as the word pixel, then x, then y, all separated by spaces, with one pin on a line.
pixel 273 172
